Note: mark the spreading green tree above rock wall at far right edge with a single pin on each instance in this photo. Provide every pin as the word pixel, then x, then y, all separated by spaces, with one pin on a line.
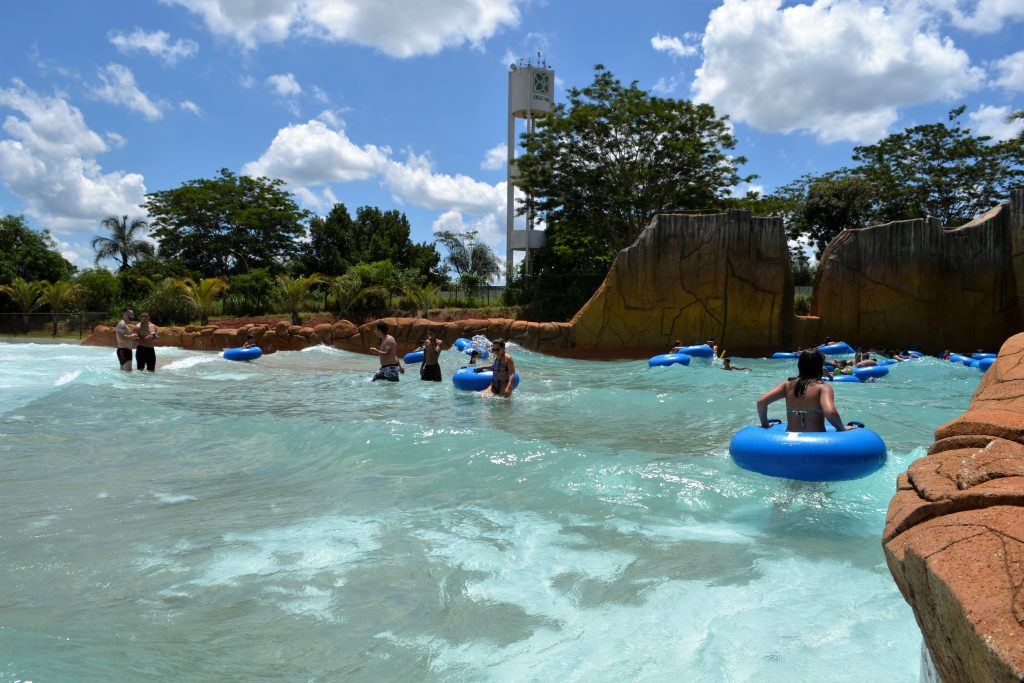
pixel 940 169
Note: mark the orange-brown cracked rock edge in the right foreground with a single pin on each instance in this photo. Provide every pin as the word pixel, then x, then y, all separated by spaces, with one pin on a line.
pixel 955 533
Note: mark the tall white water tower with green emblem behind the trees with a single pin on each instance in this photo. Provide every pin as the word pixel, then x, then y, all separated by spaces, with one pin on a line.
pixel 532 94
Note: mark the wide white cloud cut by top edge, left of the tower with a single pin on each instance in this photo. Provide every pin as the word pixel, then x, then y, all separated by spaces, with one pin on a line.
pixel 398 29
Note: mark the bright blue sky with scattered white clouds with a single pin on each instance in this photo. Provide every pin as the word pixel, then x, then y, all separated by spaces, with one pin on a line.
pixel 398 104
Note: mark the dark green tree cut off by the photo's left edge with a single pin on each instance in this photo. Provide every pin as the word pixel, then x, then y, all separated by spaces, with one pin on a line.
pixel 29 254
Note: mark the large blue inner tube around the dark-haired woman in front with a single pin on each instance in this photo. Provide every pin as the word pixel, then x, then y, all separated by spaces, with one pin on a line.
pixel 828 456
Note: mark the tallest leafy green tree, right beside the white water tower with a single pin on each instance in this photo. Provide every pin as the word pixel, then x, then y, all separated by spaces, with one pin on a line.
pixel 613 157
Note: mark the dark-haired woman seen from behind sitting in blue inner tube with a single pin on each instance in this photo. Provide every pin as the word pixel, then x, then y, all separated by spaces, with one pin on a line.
pixel 809 402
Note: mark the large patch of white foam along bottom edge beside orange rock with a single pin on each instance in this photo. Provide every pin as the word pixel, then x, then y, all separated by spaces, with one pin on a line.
pixel 799 619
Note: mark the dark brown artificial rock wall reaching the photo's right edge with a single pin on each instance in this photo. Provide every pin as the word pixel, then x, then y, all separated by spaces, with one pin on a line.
pixel 916 283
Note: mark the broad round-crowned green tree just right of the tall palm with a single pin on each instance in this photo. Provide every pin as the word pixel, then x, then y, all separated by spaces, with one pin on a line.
pixel 228 225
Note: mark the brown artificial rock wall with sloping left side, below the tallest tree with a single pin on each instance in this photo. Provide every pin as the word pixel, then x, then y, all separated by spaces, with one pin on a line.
pixel 692 277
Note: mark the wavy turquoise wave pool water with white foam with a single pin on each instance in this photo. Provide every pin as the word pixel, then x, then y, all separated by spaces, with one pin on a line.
pixel 287 520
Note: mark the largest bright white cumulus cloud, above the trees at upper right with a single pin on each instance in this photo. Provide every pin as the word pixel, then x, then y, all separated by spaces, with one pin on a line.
pixel 839 69
